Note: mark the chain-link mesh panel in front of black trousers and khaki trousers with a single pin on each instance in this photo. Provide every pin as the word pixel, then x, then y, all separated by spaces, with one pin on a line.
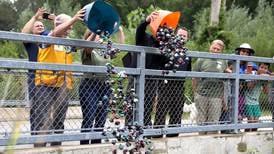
pixel 174 101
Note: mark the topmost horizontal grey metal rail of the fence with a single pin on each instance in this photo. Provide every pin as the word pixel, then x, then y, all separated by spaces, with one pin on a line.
pixel 4 35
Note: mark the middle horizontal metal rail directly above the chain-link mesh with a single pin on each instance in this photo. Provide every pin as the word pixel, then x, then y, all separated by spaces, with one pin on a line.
pixel 19 64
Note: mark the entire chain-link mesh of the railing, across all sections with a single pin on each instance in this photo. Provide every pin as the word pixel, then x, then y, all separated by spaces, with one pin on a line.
pixel 83 103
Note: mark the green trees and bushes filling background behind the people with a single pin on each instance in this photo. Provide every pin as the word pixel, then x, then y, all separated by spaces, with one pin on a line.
pixel 252 24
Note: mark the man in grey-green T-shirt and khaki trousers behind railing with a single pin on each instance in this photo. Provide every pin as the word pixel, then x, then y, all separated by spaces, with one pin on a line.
pixel 208 93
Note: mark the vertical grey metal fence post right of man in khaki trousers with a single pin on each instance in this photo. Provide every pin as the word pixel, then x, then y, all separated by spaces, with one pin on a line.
pixel 236 95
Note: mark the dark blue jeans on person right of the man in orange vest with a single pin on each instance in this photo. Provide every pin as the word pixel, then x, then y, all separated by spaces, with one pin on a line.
pixel 94 99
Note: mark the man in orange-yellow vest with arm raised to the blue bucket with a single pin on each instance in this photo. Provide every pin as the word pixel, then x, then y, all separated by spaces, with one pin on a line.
pixel 51 97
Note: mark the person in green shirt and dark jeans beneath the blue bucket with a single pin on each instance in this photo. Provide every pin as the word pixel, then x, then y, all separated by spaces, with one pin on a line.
pixel 93 89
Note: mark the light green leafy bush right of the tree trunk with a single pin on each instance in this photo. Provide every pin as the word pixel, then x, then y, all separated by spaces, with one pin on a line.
pixel 255 30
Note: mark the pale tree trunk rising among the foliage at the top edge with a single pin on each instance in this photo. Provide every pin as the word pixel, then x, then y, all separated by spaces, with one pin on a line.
pixel 215 11
